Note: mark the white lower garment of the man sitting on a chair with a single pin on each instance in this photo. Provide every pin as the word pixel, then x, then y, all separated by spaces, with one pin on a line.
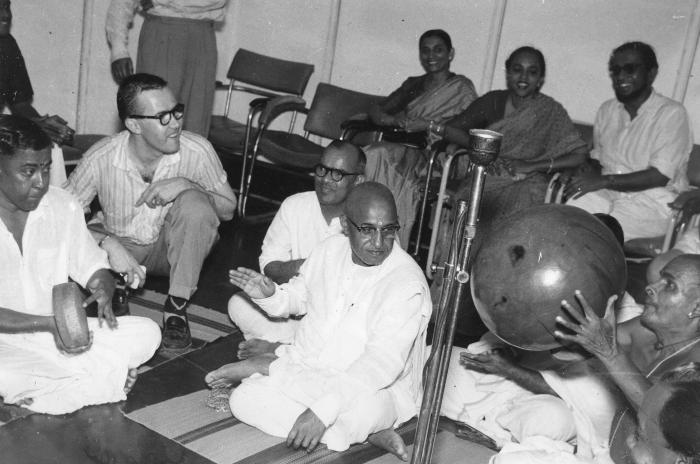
pixel 642 214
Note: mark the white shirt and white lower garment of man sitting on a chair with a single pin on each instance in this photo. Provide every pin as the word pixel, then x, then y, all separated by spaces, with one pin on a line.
pixel 659 137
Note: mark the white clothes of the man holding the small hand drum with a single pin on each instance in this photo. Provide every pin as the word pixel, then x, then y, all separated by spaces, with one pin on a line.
pixel 56 245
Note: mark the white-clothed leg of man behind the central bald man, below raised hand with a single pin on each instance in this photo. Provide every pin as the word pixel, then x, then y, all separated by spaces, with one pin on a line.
pixel 255 323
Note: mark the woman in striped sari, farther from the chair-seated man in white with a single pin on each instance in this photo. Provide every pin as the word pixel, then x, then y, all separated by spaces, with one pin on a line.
pixel 432 98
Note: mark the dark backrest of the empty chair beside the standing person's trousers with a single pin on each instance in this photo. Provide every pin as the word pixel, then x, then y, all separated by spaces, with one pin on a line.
pixel 270 73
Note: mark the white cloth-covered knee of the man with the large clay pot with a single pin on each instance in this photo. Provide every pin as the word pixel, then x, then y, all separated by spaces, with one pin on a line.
pixel 543 415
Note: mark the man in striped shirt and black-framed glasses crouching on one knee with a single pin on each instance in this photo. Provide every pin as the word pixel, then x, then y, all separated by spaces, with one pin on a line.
pixel 162 191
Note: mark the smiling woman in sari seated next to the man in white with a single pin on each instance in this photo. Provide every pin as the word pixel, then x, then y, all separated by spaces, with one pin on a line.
pixel 538 138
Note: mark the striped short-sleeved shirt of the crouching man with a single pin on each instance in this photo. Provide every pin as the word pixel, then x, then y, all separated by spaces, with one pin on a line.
pixel 107 171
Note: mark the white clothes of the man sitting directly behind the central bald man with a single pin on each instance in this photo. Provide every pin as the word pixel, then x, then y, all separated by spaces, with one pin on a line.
pixel 296 229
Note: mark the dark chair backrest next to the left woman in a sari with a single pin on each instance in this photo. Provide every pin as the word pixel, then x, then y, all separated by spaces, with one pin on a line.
pixel 332 106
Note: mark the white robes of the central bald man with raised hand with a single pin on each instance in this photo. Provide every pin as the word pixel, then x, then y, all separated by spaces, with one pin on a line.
pixel 358 354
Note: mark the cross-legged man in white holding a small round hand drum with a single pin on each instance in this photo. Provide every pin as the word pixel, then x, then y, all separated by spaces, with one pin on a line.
pixel 43 242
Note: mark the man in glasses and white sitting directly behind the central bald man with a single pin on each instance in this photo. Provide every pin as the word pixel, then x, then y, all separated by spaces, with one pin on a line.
pixel 303 221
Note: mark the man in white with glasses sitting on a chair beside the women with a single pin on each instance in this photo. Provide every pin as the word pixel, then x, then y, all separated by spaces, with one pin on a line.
pixel 642 142
